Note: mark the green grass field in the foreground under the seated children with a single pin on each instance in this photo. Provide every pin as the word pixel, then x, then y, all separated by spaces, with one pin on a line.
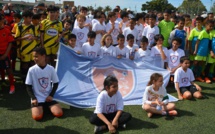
pixel 195 116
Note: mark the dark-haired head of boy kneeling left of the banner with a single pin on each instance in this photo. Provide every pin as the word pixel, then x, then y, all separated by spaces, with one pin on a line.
pixel 39 55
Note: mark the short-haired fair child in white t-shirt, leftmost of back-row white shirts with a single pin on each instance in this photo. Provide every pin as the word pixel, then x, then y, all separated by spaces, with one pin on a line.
pixel 80 31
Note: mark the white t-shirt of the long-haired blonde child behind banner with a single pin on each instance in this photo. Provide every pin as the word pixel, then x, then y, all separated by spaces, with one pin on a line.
pixel 108 51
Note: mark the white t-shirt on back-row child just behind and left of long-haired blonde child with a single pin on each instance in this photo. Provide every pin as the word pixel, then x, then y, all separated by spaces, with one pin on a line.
pixel 98 27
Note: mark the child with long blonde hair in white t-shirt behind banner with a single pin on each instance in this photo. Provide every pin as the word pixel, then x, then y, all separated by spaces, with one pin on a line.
pixel 107 49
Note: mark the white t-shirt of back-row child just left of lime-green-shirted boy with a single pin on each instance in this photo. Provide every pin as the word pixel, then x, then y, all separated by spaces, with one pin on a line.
pixel 150 33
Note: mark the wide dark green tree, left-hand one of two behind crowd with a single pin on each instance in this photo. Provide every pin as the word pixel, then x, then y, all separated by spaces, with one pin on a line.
pixel 158 5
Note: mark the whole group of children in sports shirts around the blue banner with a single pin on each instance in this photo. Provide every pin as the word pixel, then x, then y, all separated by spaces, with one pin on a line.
pixel 165 43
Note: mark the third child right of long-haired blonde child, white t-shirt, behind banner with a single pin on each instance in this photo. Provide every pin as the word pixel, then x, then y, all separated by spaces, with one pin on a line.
pixel 143 52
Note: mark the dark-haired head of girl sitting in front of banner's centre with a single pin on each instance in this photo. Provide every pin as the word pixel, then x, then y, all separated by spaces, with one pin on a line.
pixel 111 85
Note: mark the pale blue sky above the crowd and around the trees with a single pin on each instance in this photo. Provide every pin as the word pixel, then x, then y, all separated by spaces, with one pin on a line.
pixel 131 4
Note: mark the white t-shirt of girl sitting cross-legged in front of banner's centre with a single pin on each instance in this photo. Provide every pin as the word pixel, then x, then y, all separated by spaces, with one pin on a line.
pixel 106 104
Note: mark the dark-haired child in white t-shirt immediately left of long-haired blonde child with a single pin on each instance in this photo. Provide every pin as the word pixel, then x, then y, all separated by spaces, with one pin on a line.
pixel 90 48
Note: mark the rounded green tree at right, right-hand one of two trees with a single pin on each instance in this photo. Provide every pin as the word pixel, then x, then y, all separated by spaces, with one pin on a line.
pixel 192 7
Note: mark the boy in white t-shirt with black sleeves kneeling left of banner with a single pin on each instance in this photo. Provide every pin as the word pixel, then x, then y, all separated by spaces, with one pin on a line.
pixel 39 87
